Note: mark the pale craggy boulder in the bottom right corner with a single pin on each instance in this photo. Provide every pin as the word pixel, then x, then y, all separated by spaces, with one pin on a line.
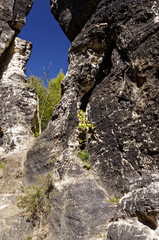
pixel 137 213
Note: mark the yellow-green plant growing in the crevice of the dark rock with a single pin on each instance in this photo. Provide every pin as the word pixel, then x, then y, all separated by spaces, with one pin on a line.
pixel 84 128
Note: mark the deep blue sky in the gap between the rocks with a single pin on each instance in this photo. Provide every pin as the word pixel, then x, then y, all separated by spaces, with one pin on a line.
pixel 50 44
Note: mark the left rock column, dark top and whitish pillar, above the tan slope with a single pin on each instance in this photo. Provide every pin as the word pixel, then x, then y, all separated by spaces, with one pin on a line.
pixel 18 100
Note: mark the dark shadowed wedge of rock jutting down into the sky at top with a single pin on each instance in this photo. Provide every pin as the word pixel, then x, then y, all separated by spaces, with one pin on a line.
pixel 72 15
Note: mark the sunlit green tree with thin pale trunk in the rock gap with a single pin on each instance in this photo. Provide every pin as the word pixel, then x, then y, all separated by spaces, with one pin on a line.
pixel 47 98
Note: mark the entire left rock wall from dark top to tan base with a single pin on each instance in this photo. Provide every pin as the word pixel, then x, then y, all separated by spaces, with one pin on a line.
pixel 17 108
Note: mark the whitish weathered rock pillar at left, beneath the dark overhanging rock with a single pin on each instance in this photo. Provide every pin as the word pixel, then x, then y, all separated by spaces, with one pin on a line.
pixel 18 99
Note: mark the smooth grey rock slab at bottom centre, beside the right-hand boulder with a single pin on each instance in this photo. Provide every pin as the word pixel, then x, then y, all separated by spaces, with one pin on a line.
pixel 79 208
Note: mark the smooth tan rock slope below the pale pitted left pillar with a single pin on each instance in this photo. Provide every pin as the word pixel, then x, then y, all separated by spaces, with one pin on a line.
pixel 13 225
